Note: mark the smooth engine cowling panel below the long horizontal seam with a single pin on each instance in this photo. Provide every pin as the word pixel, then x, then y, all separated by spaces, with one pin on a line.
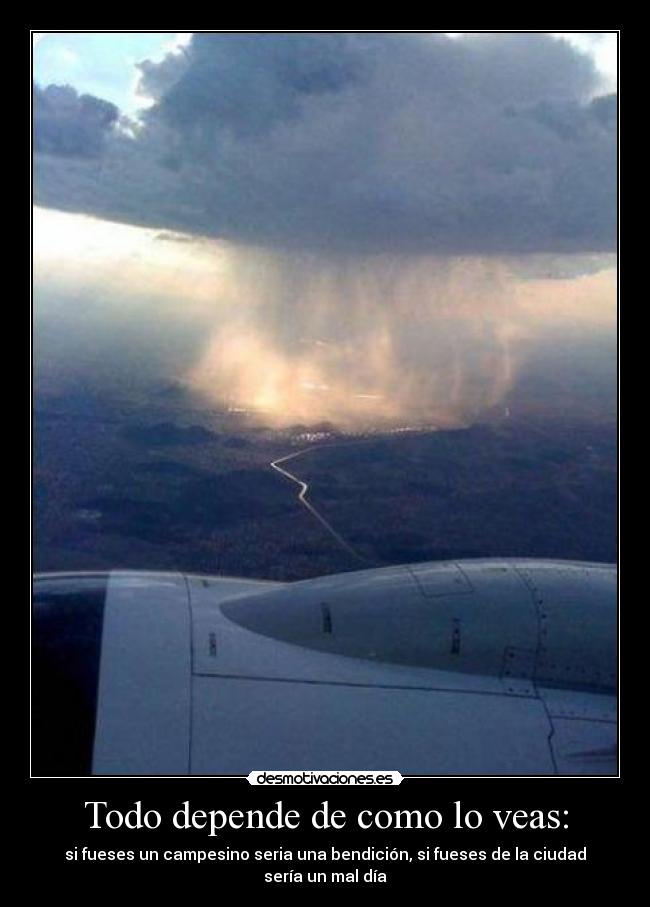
pixel 245 725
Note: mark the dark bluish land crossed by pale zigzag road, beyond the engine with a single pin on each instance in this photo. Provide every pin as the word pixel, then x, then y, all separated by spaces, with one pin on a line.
pixel 158 480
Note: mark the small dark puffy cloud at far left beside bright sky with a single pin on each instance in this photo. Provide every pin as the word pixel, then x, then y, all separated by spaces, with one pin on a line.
pixel 69 124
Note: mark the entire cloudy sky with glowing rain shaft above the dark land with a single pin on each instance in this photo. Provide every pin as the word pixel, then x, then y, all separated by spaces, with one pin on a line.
pixel 341 226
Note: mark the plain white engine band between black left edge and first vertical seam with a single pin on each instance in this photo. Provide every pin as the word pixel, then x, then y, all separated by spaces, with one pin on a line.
pixel 143 706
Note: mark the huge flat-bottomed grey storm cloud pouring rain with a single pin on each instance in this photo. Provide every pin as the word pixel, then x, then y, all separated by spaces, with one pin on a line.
pixel 491 143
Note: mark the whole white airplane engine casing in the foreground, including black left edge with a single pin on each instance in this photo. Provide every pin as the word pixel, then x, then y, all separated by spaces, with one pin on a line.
pixel 485 667
